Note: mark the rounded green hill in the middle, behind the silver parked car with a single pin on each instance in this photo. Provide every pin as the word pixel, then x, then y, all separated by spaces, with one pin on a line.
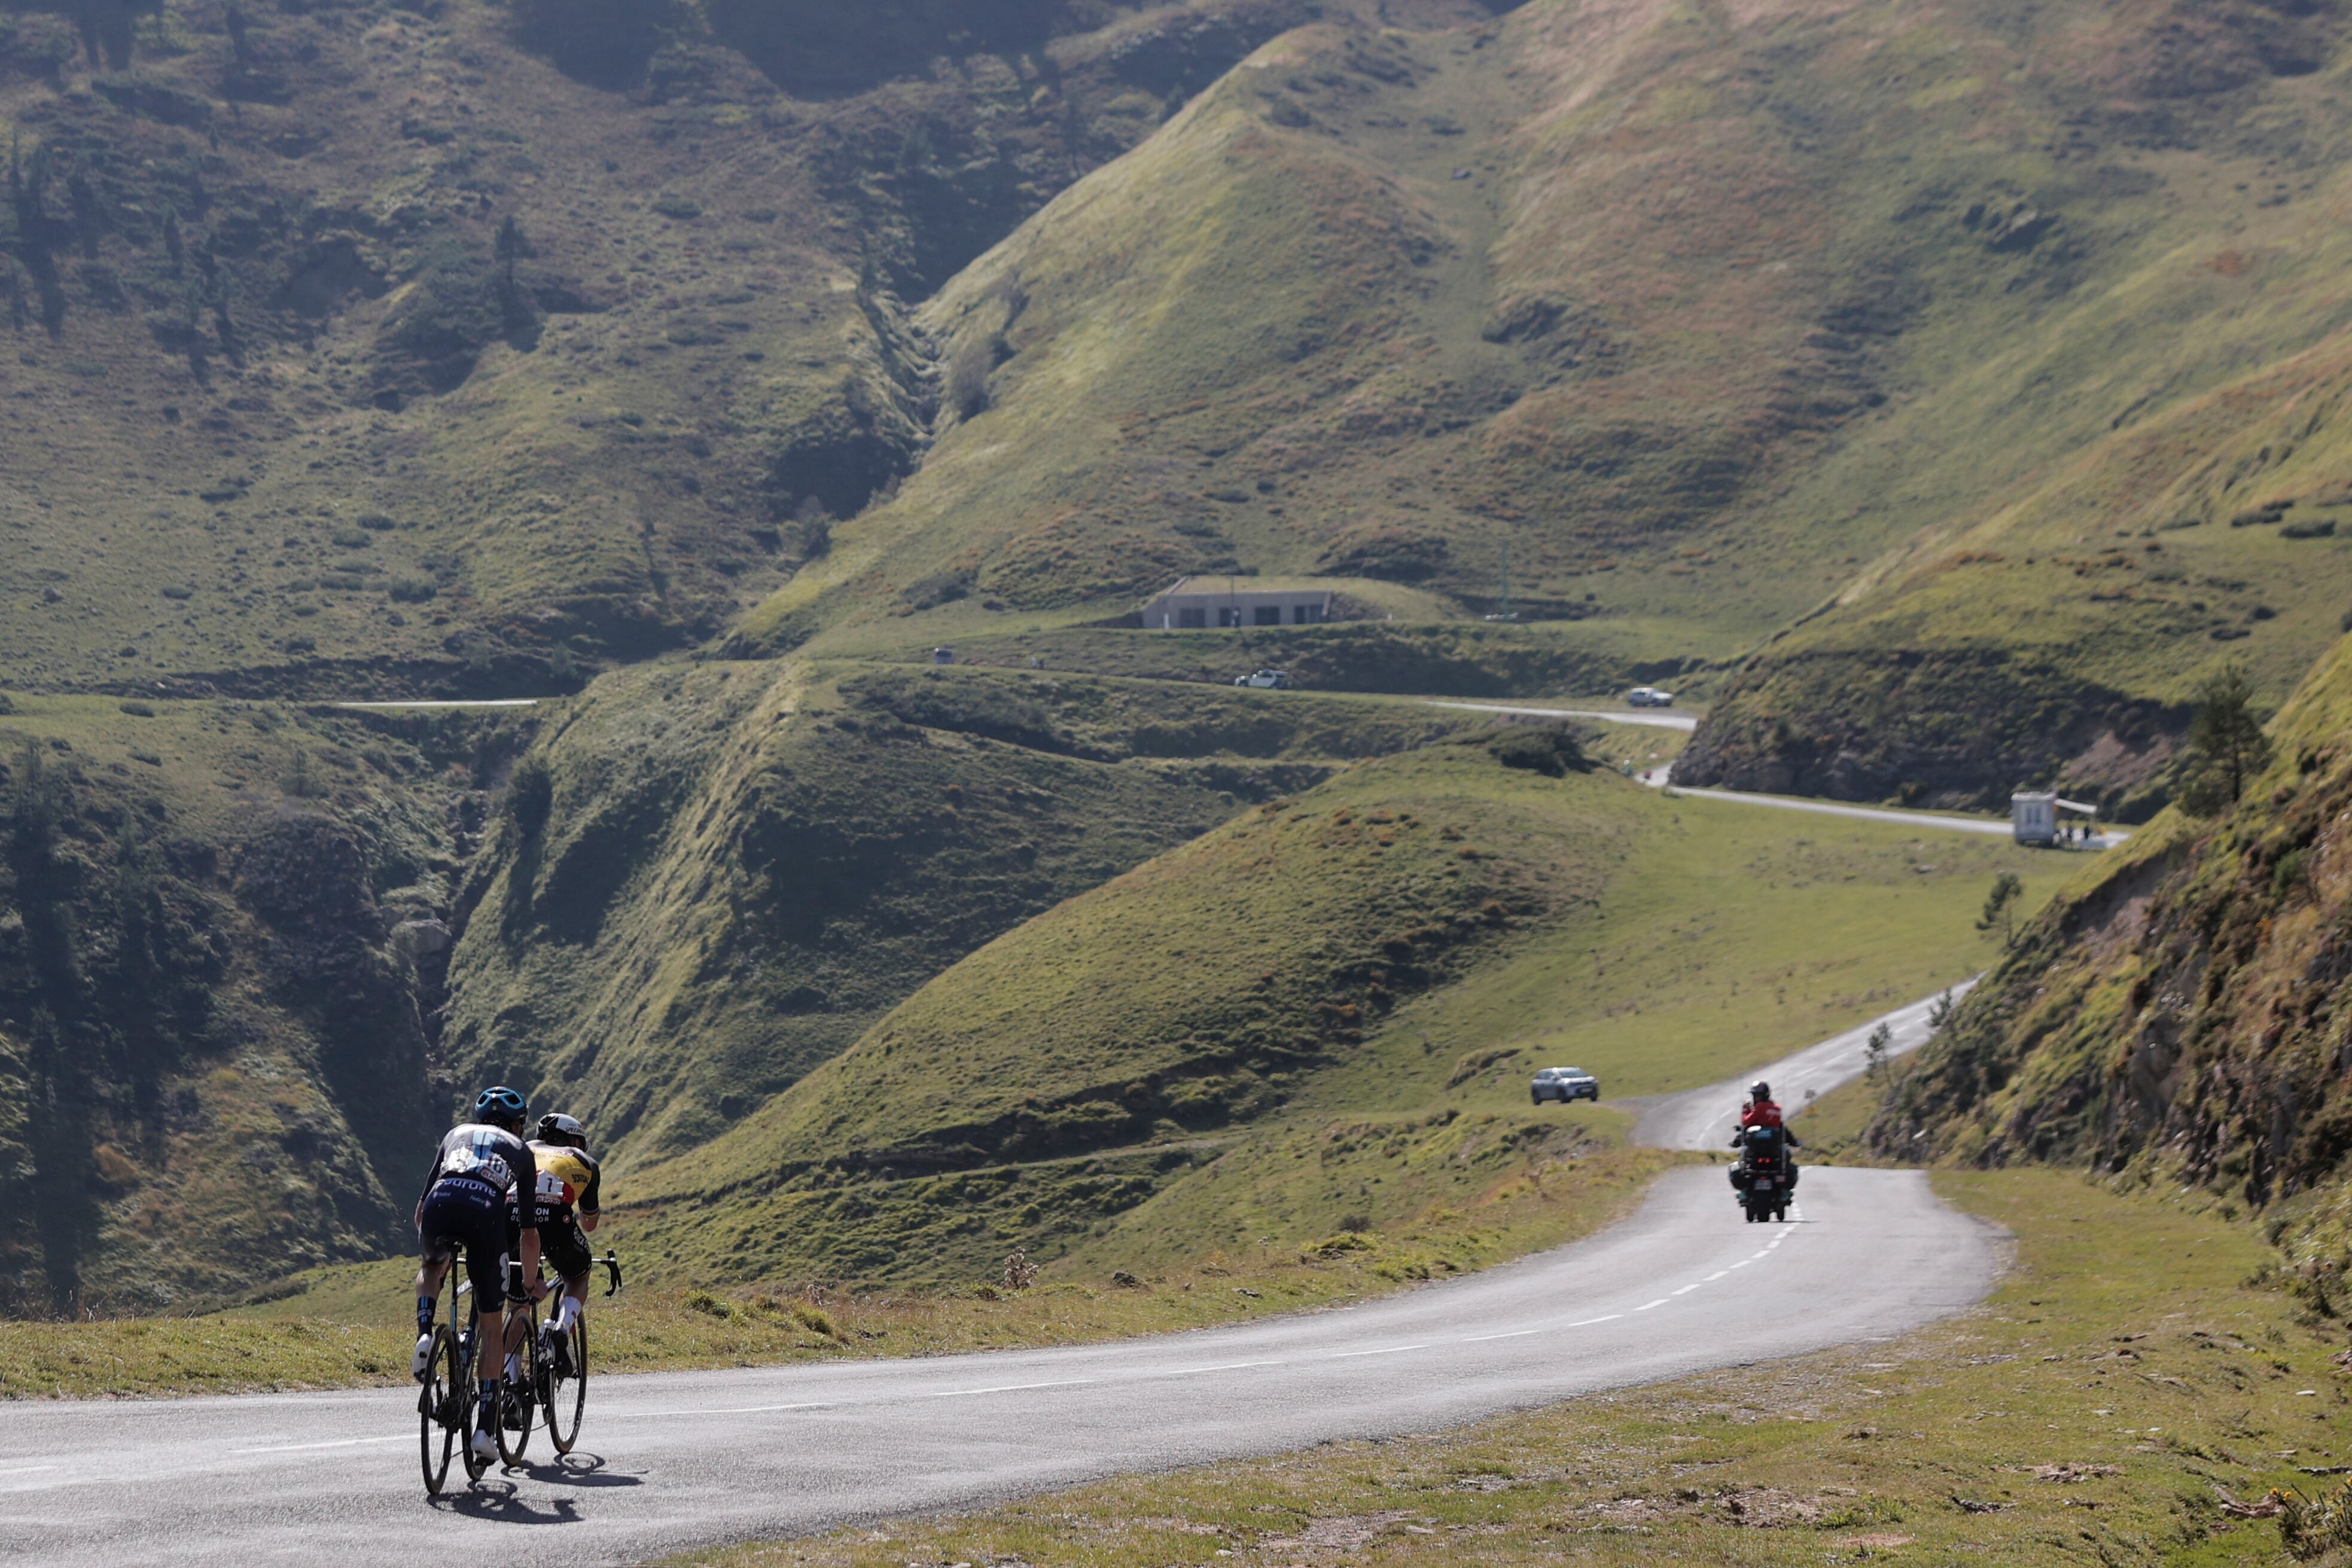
pixel 1323 1012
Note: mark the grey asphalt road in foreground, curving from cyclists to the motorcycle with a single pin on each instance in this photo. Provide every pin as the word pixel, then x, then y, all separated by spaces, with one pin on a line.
pixel 697 1459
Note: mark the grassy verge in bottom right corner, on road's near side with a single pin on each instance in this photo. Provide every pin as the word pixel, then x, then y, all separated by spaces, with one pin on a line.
pixel 2118 1395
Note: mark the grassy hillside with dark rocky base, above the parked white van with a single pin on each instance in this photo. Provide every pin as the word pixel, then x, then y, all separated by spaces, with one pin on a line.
pixel 2059 641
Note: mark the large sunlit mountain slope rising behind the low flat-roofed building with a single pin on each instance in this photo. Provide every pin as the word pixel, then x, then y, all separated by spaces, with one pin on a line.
pixel 1688 319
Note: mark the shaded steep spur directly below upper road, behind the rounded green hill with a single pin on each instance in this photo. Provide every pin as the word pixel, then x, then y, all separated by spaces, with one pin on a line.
pixel 733 871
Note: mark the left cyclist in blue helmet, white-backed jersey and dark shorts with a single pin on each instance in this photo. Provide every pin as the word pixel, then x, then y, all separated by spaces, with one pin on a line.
pixel 476 1172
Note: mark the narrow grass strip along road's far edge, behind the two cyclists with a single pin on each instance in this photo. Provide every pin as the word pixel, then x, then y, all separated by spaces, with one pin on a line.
pixel 347 1327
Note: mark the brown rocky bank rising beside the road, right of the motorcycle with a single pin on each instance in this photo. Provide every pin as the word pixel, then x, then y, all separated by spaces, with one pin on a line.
pixel 2181 1012
